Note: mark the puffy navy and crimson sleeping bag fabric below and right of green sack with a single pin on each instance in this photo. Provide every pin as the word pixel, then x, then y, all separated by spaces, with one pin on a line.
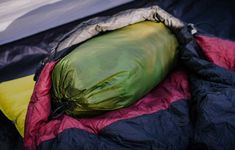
pixel 206 119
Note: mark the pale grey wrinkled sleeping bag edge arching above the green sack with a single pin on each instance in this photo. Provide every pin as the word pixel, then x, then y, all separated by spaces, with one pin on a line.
pixel 94 26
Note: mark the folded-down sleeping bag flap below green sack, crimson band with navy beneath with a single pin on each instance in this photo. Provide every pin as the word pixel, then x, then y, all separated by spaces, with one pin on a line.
pixel 39 127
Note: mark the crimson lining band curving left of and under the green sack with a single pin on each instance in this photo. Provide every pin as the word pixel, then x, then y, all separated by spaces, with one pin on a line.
pixel 39 128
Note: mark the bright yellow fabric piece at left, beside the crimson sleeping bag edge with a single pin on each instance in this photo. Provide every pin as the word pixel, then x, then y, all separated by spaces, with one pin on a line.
pixel 14 99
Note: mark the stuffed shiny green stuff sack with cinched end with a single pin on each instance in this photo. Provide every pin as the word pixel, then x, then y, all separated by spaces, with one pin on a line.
pixel 115 69
